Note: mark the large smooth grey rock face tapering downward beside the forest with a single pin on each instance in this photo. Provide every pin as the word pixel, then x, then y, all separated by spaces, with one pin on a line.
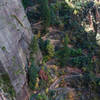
pixel 15 35
